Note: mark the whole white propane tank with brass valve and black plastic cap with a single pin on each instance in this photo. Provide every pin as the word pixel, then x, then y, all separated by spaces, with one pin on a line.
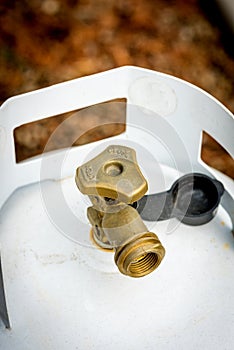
pixel 68 255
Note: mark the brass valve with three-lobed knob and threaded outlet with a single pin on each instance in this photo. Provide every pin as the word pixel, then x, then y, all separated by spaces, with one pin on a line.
pixel 113 181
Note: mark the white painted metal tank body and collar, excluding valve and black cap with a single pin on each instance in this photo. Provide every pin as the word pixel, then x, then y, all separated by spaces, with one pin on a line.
pixel 64 294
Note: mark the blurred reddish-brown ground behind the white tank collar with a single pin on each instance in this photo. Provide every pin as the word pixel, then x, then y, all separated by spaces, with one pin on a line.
pixel 43 42
